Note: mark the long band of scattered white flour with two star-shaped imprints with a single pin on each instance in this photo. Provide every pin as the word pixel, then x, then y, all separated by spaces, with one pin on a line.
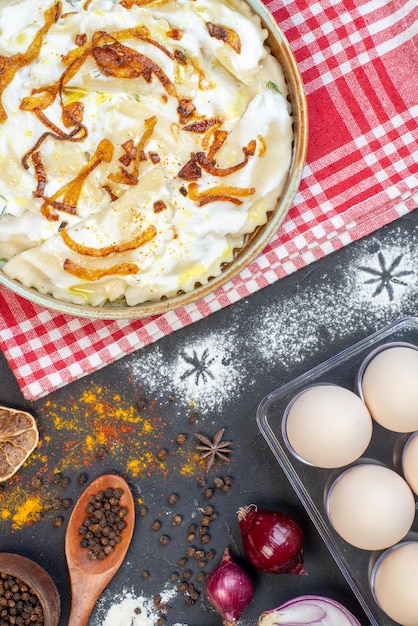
pixel 373 286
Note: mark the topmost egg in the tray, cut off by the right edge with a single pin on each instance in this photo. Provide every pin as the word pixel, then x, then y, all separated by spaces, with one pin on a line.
pixel 390 390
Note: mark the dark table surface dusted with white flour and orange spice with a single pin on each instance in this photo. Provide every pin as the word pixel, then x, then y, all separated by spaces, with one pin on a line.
pixel 128 416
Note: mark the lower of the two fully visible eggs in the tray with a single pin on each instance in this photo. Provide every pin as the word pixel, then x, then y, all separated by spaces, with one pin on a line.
pixel 371 506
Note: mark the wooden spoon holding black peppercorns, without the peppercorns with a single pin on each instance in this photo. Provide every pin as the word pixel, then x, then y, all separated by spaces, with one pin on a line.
pixel 89 578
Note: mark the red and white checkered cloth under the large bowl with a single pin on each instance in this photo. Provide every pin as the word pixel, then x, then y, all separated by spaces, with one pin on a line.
pixel 359 62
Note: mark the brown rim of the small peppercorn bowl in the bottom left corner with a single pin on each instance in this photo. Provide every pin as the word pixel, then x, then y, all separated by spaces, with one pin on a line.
pixel 38 579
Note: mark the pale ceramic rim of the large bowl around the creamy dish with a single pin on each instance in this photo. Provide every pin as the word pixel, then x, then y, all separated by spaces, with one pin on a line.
pixel 255 243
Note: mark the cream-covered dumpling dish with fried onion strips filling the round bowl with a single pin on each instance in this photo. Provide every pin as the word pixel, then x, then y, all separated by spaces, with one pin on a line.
pixel 138 146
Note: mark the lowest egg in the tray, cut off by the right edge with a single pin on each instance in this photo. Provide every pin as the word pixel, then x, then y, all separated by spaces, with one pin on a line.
pixel 395 583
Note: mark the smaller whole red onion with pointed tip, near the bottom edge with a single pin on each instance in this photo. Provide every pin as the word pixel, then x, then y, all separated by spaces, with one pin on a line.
pixel 230 590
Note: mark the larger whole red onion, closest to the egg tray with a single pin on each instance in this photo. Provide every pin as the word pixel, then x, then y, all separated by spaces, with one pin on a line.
pixel 273 541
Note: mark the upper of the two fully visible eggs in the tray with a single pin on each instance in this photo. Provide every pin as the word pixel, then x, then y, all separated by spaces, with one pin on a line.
pixel 327 426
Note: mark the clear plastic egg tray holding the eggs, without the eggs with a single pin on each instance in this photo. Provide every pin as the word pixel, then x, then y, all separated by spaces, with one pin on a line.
pixel 310 482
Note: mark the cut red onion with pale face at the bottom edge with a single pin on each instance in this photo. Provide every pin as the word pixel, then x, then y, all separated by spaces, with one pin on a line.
pixel 309 611
